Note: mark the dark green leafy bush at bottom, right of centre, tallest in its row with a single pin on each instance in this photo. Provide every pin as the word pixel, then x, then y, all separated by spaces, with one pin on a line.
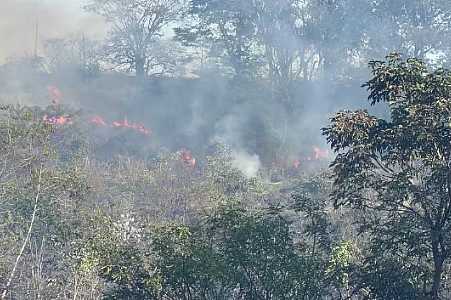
pixel 262 259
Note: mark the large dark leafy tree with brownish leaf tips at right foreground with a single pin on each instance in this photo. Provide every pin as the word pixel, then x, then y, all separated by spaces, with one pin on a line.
pixel 397 171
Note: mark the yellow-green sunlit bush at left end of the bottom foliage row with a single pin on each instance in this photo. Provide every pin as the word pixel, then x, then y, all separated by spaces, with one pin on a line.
pixel 114 255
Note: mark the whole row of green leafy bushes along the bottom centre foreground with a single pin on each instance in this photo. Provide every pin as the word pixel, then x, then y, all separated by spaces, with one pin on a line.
pixel 232 253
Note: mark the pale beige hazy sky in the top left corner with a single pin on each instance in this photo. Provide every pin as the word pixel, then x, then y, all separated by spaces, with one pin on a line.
pixel 56 18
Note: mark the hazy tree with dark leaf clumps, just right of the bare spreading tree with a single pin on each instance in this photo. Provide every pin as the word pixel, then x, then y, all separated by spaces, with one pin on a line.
pixel 227 28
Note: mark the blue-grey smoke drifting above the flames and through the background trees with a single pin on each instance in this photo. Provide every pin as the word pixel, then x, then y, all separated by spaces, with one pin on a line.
pixel 250 117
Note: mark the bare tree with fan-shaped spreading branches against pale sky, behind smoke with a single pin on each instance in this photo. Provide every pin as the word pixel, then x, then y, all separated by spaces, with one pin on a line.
pixel 136 27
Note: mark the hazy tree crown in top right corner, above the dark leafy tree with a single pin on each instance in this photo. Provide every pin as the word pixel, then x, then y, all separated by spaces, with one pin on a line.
pixel 418 28
